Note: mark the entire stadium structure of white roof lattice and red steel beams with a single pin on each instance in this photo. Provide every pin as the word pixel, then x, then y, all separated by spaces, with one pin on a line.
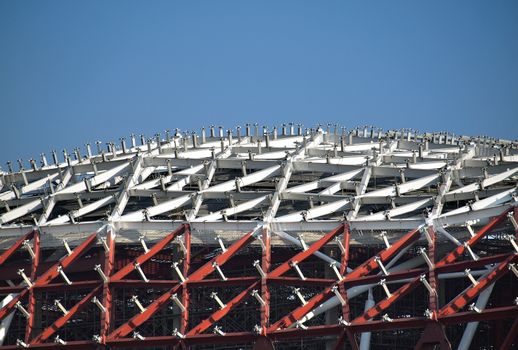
pixel 262 239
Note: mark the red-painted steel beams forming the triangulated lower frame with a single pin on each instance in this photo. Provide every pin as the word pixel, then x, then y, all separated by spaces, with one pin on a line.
pixel 365 274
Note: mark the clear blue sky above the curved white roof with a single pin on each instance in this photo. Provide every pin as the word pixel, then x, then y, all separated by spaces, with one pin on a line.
pixel 73 72
